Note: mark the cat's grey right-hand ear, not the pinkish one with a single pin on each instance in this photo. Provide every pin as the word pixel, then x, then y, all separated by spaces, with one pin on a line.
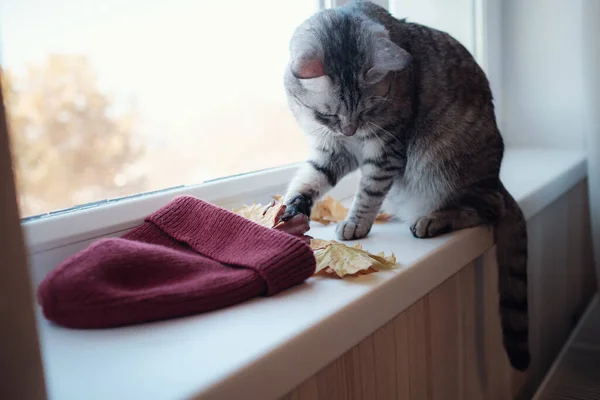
pixel 387 57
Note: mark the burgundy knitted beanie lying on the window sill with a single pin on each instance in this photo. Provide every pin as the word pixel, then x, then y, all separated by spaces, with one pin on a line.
pixel 187 258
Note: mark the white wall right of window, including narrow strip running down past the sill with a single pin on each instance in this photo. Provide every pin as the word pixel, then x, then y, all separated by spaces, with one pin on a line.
pixel 551 82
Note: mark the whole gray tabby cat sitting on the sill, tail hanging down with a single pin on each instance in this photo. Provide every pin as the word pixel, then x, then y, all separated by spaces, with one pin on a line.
pixel 408 106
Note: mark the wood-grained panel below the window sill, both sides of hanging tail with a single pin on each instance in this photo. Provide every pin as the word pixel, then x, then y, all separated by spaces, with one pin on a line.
pixel 448 345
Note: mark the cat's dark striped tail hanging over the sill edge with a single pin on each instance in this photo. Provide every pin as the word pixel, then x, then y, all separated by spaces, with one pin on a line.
pixel 511 247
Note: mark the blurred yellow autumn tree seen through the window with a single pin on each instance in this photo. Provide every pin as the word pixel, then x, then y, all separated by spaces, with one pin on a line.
pixel 69 148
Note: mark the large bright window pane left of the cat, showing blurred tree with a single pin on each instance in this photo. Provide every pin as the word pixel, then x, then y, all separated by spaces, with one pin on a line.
pixel 112 98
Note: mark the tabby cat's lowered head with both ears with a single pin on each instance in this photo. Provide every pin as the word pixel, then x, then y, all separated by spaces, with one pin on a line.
pixel 341 72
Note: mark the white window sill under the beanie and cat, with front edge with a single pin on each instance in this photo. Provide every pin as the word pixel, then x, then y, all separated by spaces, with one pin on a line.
pixel 268 346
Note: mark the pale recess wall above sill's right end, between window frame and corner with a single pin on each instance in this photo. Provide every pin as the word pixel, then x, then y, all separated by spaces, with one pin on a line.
pixel 544 88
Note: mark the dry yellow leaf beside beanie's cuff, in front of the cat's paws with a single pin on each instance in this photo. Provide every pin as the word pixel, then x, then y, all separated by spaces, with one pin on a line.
pixel 341 260
